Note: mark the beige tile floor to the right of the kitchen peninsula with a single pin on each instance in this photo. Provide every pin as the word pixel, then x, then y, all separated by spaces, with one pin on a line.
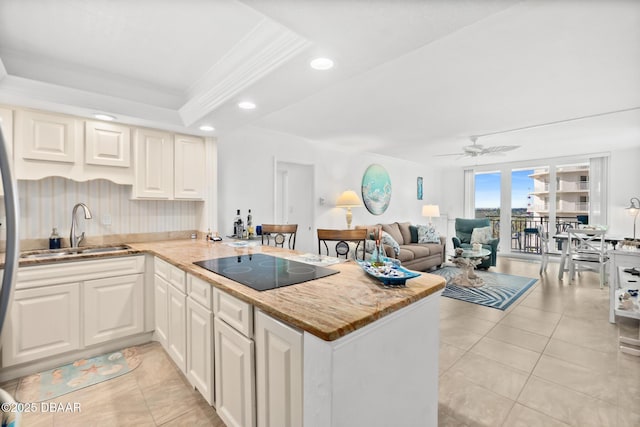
pixel 551 359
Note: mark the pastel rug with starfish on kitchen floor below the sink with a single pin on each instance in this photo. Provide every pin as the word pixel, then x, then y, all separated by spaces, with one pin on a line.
pixel 74 376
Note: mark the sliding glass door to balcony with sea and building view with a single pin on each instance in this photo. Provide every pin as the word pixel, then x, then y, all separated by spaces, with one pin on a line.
pixel 553 195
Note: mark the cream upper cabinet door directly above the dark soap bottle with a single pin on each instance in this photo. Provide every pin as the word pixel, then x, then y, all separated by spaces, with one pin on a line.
pixel 48 137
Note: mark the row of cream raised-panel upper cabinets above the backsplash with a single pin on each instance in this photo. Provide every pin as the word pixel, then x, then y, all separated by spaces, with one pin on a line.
pixel 159 165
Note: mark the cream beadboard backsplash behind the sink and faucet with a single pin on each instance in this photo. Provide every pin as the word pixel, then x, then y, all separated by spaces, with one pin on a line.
pixel 48 203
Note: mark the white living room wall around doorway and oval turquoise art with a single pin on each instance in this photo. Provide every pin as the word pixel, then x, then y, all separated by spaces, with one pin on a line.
pixel 246 180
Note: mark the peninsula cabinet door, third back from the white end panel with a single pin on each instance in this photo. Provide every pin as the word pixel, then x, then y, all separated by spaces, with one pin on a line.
pixel 200 349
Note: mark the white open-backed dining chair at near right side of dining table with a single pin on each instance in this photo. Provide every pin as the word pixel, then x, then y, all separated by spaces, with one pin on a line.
pixel 587 251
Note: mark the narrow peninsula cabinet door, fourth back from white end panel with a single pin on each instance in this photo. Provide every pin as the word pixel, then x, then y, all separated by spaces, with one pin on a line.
pixel 177 314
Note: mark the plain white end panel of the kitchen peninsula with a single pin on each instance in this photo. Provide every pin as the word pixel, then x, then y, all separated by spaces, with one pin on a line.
pixel 385 374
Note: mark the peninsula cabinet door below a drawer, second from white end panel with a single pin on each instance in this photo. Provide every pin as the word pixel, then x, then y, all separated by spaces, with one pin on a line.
pixel 235 379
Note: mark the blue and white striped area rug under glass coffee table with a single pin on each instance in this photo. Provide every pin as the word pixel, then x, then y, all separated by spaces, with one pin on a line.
pixel 499 290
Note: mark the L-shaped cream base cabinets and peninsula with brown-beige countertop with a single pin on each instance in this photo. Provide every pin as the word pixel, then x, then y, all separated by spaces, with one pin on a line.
pixel 340 350
